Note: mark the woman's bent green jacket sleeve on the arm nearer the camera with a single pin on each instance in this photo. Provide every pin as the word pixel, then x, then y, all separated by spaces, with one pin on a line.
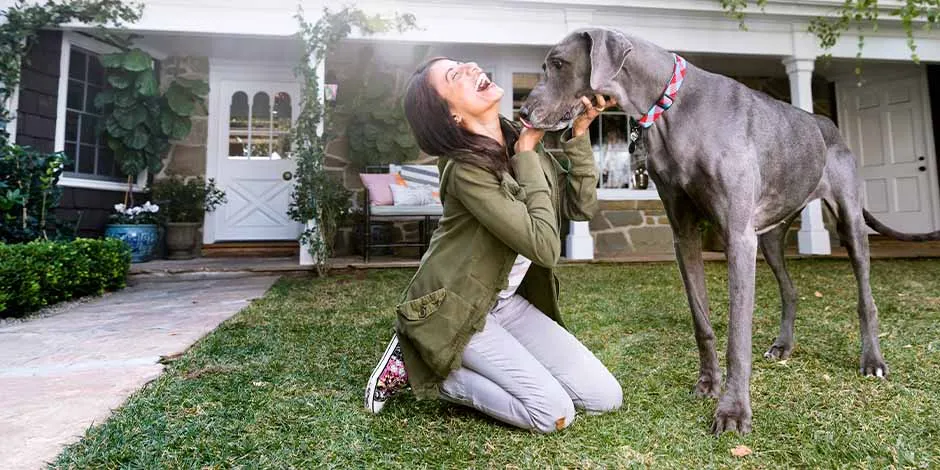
pixel 523 218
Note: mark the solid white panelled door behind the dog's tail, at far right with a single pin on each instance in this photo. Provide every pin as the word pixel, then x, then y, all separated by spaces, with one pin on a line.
pixel 885 125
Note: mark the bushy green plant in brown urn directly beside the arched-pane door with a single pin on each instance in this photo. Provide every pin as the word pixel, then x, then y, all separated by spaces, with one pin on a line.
pixel 185 202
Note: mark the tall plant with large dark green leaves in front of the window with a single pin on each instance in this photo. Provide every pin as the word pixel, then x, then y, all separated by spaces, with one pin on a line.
pixel 139 122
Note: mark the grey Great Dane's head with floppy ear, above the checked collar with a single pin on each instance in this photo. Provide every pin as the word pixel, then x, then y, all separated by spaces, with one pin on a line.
pixel 582 64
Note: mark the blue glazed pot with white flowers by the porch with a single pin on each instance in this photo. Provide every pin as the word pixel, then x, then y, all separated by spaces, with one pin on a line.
pixel 137 227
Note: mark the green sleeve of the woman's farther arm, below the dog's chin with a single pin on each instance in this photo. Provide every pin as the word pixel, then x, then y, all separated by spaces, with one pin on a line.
pixel 579 189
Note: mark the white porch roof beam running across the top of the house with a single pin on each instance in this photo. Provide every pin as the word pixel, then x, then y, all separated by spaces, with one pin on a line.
pixel 686 25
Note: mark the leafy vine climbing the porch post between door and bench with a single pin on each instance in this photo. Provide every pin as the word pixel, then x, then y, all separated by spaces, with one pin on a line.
pixel 319 200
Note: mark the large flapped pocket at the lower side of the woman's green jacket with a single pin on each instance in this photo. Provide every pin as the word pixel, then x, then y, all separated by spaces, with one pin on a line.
pixel 434 323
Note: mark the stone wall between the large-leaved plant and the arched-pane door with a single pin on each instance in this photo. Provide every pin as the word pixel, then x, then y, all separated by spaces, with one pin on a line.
pixel 187 157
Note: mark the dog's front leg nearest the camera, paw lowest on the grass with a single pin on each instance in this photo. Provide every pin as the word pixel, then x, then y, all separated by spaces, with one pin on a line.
pixel 734 406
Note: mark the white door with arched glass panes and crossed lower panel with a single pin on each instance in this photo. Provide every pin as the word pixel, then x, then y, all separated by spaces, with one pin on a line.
pixel 254 166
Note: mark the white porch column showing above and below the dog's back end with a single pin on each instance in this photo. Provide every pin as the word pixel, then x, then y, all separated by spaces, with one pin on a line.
pixel 813 238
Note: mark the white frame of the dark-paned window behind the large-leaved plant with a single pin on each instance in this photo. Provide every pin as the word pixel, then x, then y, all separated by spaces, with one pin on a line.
pixel 69 39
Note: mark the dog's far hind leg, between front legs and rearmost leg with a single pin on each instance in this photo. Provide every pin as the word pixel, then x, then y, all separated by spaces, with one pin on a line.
pixel 771 244
